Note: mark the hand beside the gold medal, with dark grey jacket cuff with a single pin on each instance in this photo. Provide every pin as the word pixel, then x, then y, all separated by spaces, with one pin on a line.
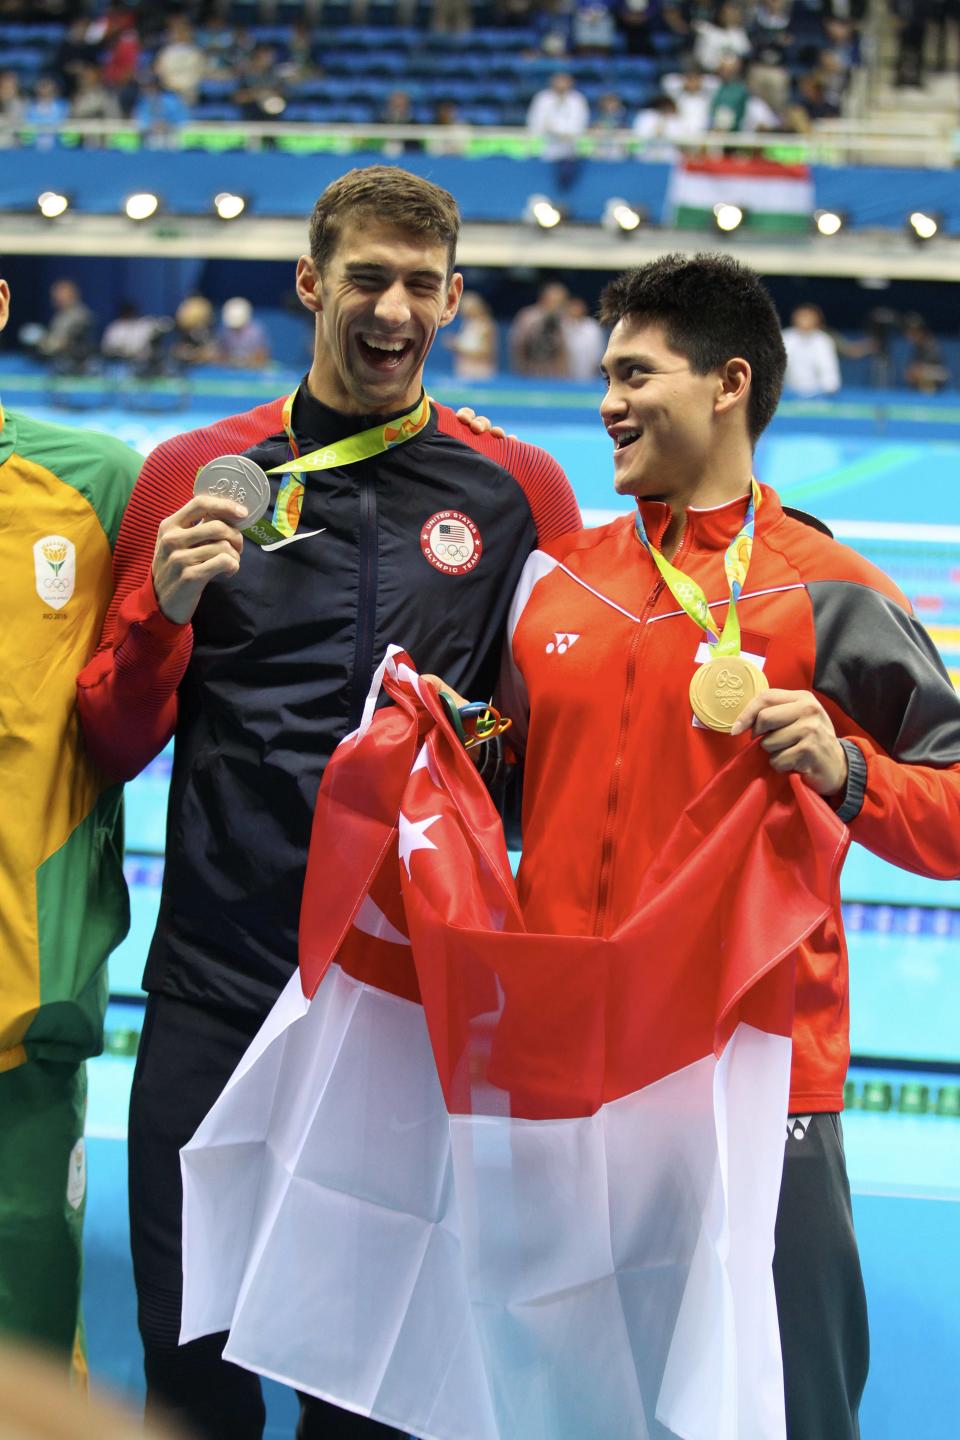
pixel 798 735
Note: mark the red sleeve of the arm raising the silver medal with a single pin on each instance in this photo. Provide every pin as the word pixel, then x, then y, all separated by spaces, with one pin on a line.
pixel 127 695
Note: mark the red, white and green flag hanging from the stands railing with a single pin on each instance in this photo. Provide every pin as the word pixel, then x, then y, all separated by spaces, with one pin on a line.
pixel 775 198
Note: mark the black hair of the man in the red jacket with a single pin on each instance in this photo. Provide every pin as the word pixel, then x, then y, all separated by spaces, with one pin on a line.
pixel 712 309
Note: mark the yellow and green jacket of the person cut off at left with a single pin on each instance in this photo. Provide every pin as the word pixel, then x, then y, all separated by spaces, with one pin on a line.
pixel 63 896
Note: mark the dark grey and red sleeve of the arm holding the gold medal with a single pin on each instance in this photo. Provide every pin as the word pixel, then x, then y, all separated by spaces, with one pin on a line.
pixel 899 719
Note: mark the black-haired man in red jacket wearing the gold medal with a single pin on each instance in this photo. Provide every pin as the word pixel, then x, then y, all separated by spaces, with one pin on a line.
pixel 646 654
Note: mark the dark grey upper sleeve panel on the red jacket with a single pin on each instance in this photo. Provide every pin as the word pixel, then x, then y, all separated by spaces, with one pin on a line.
pixel 880 666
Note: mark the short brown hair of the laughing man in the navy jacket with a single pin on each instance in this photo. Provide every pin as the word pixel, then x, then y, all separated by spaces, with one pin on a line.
pixel 391 195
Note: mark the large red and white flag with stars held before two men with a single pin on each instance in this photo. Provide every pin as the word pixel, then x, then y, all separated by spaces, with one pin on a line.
pixel 484 1184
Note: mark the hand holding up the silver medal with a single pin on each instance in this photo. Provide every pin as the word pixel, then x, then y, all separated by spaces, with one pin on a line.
pixel 195 545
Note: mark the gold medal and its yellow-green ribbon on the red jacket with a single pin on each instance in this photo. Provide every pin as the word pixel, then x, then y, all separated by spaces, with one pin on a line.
pixel 725 685
